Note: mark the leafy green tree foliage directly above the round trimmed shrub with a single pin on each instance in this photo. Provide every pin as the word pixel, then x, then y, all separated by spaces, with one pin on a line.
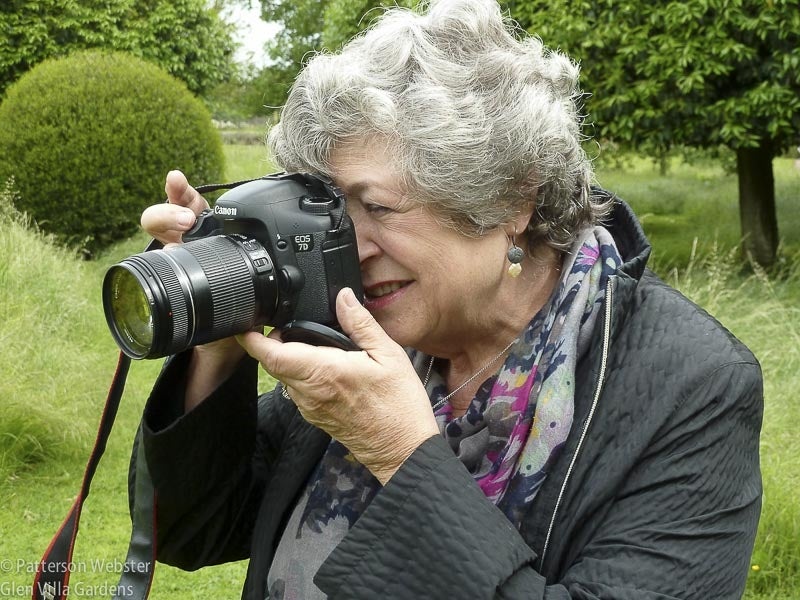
pixel 184 37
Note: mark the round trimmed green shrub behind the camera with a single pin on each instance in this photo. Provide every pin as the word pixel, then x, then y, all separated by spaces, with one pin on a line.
pixel 89 138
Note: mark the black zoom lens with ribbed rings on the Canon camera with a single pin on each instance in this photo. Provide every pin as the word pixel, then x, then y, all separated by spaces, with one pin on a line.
pixel 161 302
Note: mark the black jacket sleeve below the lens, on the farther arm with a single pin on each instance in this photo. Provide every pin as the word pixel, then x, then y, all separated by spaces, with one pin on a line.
pixel 202 467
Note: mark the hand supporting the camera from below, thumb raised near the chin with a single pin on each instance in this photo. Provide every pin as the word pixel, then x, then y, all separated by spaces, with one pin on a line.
pixel 371 401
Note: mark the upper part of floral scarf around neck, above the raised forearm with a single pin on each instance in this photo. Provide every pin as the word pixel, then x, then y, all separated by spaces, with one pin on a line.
pixel 520 418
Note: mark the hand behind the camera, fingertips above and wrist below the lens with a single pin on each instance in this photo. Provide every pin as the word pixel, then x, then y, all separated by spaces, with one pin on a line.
pixel 211 363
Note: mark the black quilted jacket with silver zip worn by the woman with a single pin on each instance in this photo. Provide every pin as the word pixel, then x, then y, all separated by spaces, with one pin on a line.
pixel 656 494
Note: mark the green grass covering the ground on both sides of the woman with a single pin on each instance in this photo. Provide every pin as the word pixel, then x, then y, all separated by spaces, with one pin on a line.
pixel 57 359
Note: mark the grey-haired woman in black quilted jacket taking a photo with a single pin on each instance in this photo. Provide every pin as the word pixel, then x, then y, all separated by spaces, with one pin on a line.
pixel 533 412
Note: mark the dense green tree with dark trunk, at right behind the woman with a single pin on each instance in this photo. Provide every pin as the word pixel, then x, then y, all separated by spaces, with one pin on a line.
pixel 699 73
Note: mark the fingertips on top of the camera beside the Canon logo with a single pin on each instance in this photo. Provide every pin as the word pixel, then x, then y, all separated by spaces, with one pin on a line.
pixel 168 222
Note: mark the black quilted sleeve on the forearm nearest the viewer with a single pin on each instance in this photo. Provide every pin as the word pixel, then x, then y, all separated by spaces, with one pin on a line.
pixel 429 533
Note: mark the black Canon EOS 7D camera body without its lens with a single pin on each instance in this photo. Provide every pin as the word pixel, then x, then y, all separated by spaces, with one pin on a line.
pixel 309 244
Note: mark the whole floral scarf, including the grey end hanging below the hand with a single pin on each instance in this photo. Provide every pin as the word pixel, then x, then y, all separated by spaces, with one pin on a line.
pixel 512 431
